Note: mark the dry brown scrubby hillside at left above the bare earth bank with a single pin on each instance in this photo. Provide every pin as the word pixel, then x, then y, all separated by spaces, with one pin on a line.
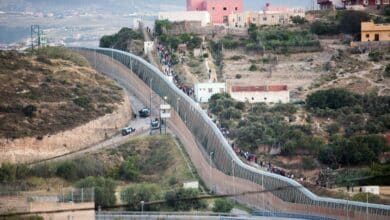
pixel 50 92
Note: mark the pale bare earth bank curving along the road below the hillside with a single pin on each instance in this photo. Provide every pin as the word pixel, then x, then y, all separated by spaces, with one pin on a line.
pixel 30 149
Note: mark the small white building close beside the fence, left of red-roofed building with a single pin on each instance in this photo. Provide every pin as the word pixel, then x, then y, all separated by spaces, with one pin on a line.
pixel 204 91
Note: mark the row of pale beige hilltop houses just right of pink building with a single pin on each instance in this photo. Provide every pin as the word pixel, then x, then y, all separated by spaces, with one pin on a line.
pixel 270 15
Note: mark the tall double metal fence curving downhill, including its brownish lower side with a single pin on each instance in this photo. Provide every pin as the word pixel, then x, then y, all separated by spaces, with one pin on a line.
pixel 290 195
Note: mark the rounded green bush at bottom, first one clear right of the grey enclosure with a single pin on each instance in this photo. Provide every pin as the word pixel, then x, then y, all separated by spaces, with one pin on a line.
pixel 133 195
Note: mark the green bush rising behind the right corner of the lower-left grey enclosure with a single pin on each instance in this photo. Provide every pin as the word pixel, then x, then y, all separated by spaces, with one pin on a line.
pixel 104 190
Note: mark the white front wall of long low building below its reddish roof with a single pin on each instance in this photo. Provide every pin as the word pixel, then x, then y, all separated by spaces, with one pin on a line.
pixel 268 97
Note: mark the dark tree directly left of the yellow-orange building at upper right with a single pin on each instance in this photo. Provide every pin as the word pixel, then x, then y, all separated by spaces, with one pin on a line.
pixel 350 21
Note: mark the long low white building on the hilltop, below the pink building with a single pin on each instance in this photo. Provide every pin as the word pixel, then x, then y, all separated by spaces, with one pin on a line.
pixel 202 16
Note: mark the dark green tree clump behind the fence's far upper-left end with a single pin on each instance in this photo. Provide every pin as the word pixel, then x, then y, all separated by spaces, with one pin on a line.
pixel 120 39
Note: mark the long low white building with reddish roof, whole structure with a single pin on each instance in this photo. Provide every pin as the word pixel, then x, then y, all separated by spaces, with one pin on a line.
pixel 254 94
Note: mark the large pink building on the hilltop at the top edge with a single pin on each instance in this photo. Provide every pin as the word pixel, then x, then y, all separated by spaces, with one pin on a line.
pixel 219 10
